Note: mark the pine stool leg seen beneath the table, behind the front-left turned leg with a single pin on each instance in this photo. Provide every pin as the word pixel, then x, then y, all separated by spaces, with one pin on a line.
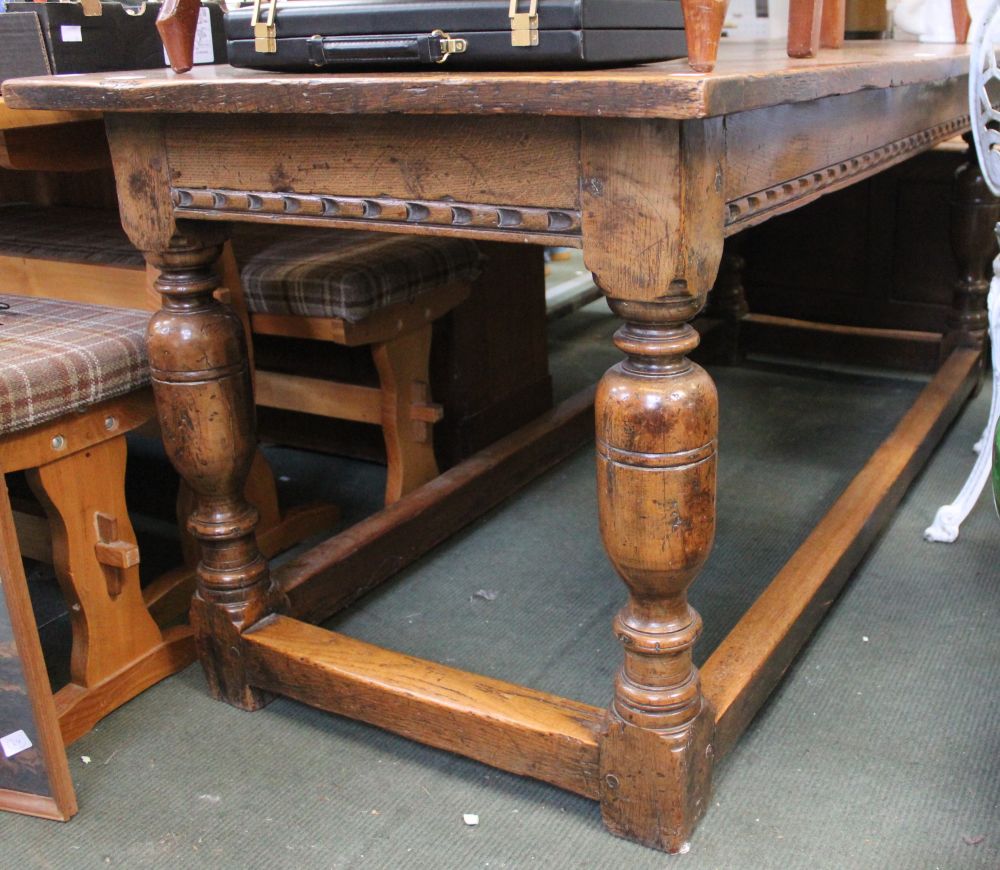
pixel 403 368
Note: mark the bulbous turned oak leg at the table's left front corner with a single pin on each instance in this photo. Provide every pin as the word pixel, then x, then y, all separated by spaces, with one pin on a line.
pixel 201 380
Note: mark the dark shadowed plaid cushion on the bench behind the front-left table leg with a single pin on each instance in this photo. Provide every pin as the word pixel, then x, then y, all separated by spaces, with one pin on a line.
pixel 77 235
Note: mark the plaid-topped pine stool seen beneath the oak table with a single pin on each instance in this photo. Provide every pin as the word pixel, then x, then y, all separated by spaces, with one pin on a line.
pixel 360 288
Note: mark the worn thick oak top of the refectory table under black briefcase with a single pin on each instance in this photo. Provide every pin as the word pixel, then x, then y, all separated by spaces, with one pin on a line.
pixel 748 76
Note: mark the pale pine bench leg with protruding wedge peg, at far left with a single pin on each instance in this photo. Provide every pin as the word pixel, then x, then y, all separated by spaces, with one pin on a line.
pixel 118 650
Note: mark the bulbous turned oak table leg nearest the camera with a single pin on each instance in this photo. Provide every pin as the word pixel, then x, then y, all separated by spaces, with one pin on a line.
pixel 657 423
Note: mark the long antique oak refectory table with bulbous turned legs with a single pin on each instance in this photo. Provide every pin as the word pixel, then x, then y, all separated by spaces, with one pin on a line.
pixel 647 170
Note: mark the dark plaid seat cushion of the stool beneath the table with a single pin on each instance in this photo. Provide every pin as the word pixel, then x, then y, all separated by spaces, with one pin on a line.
pixel 345 274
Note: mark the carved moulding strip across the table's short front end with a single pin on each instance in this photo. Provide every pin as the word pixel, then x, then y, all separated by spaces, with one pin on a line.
pixel 319 208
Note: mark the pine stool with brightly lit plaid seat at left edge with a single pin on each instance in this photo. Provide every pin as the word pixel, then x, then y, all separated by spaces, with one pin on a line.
pixel 73 380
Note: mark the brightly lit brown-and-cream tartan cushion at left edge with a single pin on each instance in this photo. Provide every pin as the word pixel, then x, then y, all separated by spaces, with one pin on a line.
pixel 58 357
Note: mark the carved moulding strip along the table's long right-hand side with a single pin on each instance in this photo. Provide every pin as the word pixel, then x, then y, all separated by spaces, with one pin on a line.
pixel 756 207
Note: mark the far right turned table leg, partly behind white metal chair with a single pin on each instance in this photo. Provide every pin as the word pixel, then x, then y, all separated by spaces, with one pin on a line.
pixel 974 214
